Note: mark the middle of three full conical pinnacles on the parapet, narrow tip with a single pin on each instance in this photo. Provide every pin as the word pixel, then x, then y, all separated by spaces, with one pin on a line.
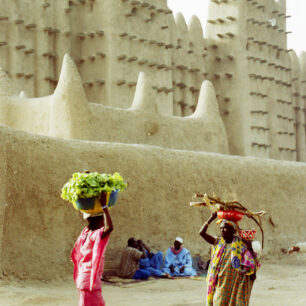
pixel 144 98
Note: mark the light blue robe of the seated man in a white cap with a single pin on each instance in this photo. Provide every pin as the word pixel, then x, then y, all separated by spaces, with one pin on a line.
pixel 177 261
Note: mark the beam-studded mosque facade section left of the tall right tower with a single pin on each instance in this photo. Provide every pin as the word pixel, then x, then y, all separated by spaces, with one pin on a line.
pixel 111 42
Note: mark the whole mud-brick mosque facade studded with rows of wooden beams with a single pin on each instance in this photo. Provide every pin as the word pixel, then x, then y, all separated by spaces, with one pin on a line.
pixel 260 85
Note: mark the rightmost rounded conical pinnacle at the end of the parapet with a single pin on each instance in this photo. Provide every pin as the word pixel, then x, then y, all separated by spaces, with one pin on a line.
pixel 207 104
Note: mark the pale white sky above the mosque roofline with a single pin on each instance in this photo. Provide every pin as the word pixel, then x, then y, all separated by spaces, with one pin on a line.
pixel 295 8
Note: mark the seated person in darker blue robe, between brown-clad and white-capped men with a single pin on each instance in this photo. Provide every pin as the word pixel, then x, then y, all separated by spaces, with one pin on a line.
pixel 152 262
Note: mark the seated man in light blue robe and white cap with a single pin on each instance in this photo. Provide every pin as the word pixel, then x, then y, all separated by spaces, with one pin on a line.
pixel 178 260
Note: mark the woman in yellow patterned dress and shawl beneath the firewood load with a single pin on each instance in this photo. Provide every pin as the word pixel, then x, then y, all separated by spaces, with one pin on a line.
pixel 233 266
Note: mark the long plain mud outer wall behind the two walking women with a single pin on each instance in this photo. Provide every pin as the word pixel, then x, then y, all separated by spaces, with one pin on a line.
pixel 39 229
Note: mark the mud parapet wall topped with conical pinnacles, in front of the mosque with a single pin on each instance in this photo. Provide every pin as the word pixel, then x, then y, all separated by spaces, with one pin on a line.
pixel 68 114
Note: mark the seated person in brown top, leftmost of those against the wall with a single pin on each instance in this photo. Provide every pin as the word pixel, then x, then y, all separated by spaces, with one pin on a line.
pixel 129 265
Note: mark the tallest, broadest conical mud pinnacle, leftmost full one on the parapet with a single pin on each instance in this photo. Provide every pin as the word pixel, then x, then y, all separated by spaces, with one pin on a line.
pixel 70 114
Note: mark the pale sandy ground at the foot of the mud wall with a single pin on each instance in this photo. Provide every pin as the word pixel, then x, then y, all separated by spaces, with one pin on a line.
pixel 277 284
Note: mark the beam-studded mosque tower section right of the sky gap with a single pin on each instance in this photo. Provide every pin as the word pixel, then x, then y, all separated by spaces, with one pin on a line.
pixel 252 70
